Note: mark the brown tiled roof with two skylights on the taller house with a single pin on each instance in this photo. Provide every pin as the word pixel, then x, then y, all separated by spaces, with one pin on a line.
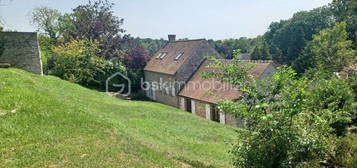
pixel 168 64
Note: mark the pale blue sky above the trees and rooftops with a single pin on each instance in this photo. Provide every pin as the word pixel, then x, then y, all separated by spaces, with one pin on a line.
pixel 211 19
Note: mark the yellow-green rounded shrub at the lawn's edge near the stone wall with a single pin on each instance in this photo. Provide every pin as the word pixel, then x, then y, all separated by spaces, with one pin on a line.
pixel 77 61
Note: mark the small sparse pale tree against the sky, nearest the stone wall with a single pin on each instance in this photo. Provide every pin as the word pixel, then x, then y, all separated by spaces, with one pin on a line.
pixel 47 21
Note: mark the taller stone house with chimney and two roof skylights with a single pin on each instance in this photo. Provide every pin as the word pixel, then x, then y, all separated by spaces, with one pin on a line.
pixel 172 66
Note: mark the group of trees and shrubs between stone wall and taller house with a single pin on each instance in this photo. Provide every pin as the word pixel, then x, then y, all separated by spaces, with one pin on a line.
pixel 88 45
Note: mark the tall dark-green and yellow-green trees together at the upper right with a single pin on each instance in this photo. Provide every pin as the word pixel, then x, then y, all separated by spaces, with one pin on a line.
pixel 307 35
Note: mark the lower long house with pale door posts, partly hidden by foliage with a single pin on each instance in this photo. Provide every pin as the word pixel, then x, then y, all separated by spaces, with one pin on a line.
pixel 200 96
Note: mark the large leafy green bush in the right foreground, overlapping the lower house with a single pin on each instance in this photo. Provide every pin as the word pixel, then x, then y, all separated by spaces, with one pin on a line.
pixel 289 121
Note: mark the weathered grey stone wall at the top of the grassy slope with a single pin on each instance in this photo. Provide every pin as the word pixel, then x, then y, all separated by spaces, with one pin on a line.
pixel 21 50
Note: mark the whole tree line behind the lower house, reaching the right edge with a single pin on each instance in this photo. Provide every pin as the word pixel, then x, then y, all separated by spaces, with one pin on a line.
pixel 293 41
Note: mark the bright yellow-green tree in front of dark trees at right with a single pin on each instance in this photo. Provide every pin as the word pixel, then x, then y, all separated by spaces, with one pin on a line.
pixel 330 49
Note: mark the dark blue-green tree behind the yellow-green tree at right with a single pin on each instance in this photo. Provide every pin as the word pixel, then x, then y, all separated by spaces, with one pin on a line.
pixel 288 38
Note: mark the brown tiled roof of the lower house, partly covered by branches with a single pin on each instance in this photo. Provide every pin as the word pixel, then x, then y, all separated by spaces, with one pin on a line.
pixel 211 90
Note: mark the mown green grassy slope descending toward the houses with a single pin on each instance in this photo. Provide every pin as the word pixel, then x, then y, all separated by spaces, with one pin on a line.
pixel 48 122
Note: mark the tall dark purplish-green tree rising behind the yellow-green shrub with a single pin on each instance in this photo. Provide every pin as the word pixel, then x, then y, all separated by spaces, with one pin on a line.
pixel 96 21
